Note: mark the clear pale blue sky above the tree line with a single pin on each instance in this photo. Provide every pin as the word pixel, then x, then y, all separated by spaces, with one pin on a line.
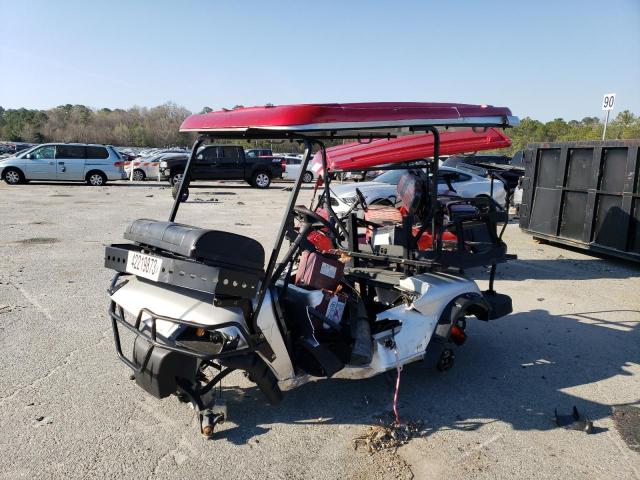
pixel 543 59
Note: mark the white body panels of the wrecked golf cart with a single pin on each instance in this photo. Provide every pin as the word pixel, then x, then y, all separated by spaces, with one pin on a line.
pixel 418 320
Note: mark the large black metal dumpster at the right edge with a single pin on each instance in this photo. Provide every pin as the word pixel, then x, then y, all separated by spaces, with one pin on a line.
pixel 584 194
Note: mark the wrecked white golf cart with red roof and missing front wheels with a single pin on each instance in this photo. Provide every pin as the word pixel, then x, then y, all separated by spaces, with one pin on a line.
pixel 351 297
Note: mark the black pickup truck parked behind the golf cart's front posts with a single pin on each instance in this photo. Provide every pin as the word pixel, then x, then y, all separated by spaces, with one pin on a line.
pixel 226 162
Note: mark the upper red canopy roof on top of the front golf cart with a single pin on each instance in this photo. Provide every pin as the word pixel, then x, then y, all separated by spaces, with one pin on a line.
pixel 332 117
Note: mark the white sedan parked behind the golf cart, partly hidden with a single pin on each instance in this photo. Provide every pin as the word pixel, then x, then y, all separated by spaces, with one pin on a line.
pixel 382 190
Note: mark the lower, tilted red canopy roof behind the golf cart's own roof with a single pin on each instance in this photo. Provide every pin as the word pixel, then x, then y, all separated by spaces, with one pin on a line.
pixel 357 156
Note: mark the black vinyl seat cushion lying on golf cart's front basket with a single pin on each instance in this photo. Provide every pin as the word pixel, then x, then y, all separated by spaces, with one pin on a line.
pixel 224 249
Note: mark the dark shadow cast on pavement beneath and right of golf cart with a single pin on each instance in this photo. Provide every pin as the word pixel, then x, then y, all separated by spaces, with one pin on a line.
pixel 515 370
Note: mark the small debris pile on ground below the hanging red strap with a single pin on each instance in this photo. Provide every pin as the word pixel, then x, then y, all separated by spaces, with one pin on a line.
pixel 389 435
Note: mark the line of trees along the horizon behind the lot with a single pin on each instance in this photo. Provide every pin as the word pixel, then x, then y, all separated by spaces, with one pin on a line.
pixel 158 127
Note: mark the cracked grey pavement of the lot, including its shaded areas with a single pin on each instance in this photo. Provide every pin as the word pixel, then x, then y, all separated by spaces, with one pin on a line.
pixel 68 409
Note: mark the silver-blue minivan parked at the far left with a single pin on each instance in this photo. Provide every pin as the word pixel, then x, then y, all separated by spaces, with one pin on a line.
pixel 93 164
